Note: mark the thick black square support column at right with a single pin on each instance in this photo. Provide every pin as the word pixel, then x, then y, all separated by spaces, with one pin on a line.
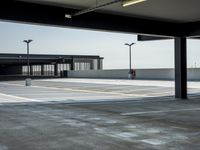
pixel 181 67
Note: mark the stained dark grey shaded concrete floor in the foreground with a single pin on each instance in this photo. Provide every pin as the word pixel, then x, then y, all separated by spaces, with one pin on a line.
pixel 102 126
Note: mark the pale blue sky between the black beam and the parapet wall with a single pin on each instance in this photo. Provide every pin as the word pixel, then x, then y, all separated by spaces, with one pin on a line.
pixel 55 40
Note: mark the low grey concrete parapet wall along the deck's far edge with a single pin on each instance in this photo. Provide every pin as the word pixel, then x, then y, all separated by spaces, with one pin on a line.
pixel 149 74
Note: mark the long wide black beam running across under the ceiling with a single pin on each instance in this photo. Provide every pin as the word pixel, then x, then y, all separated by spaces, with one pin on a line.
pixel 55 16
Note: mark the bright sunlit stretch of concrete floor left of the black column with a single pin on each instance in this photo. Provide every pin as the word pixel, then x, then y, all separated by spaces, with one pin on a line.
pixel 79 90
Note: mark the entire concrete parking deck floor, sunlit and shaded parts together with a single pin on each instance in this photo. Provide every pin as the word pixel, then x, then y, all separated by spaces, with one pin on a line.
pixel 31 120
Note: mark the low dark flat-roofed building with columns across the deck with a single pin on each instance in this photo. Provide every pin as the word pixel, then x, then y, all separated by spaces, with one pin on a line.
pixel 47 65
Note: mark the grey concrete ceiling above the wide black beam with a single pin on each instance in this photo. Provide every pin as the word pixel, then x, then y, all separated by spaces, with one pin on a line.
pixel 177 11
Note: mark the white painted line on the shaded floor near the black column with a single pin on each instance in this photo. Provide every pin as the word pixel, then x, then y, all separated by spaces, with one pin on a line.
pixel 159 111
